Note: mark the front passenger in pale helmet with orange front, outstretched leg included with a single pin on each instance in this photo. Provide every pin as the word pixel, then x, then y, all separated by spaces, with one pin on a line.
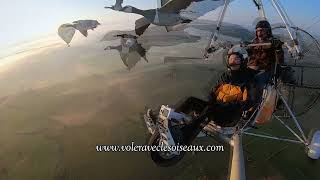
pixel 233 93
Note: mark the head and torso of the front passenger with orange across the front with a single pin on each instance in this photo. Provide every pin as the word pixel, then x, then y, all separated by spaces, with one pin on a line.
pixel 235 90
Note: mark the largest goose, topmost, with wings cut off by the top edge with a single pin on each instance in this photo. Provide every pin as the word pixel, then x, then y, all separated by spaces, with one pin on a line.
pixel 171 12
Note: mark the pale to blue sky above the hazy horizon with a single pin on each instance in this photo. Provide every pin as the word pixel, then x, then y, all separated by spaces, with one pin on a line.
pixel 27 20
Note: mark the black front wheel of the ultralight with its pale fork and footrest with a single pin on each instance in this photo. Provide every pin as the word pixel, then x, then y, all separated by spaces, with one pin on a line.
pixel 171 130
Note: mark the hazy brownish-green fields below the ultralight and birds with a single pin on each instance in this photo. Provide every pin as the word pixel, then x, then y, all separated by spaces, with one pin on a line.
pixel 54 110
